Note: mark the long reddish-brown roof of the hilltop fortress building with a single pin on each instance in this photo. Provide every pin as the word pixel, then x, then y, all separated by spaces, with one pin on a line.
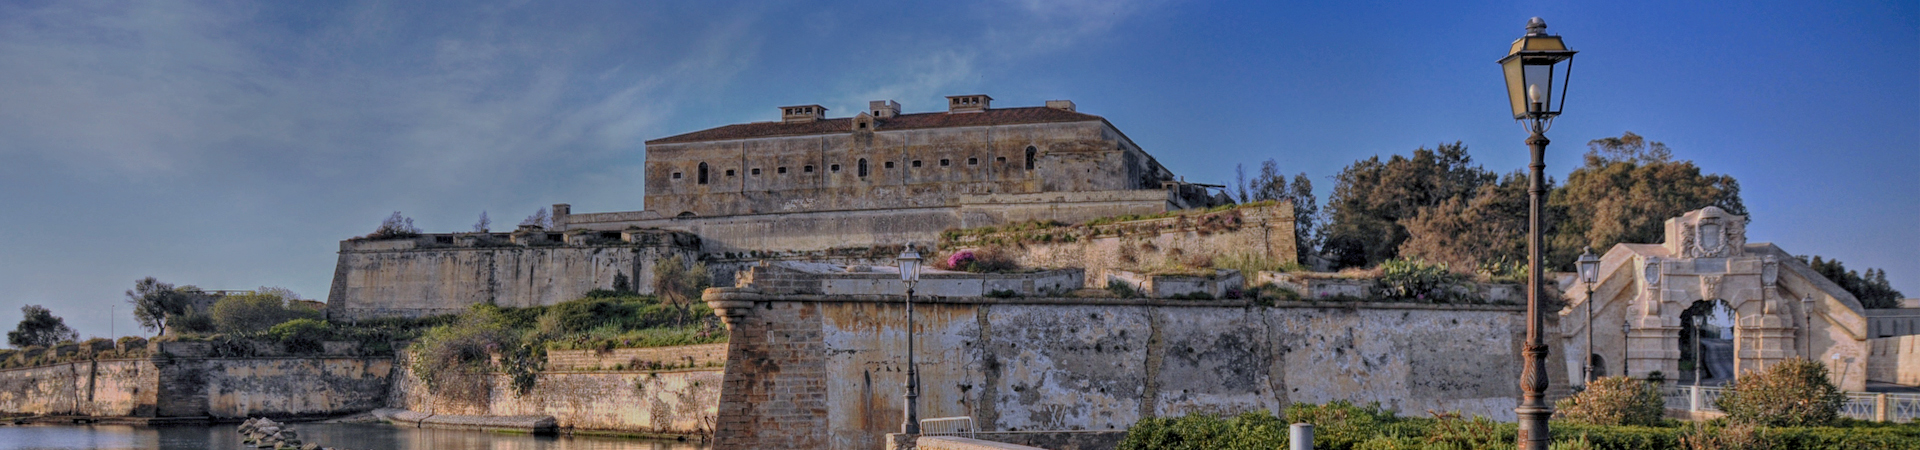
pixel 934 120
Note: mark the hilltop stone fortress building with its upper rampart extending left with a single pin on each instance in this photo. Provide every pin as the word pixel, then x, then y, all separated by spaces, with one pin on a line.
pixel 805 186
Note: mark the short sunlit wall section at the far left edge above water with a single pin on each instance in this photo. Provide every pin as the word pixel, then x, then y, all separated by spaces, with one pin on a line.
pixel 107 387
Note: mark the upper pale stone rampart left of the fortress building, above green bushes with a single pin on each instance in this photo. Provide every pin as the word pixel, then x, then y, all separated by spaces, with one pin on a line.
pixel 423 276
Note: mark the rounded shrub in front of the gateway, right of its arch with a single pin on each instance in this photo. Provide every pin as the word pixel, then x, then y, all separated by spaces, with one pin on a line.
pixel 1794 393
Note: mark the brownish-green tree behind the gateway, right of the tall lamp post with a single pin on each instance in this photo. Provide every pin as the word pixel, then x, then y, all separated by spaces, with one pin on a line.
pixel 1625 193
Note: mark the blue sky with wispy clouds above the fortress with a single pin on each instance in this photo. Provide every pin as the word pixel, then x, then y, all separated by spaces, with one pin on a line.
pixel 233 145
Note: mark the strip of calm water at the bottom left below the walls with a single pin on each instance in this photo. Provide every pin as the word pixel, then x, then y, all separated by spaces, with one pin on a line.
pixel 339 436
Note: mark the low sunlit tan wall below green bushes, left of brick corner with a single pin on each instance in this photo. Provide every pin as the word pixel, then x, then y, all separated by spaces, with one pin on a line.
pixel 660 403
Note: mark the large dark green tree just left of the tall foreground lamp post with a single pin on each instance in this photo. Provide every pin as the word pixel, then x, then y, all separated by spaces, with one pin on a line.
pixel 1374 197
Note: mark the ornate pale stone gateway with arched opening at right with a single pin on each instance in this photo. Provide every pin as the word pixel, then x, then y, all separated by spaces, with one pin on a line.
pixel 1781 307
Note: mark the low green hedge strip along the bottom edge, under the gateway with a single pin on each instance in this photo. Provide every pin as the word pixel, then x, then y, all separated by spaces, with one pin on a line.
pixel 1341 426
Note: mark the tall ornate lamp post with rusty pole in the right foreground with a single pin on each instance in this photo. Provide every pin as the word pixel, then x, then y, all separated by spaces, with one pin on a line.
pixel 1533 72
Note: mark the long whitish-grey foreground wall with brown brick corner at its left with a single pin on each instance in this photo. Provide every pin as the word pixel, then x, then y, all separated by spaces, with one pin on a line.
pixel 825 372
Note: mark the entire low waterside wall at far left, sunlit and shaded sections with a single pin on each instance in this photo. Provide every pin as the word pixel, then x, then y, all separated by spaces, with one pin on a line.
pixel 183 380
